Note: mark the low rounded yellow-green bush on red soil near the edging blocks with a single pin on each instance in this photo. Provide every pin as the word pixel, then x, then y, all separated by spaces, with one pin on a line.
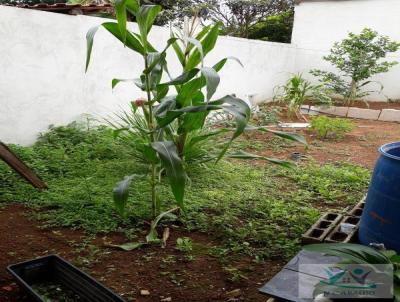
pixel 331 127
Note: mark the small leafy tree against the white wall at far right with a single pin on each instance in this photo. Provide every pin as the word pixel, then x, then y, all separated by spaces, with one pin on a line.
pixel 357 58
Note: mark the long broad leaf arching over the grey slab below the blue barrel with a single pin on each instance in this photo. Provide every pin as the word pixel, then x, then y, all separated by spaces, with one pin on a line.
pixel 359 254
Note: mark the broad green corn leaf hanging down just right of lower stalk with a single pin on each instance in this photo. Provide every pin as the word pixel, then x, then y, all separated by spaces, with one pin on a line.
pixel 172 163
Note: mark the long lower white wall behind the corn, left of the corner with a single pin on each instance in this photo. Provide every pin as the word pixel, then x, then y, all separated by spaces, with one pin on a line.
pixel 42 78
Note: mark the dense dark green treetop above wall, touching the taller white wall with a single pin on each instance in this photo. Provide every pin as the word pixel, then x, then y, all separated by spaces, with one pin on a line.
pixel 274 28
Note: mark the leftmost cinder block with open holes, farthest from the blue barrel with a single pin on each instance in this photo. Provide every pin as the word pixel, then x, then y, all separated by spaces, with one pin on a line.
pixel 318 232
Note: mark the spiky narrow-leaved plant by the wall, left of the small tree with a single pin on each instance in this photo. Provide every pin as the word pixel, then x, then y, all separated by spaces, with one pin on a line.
pixel 297 90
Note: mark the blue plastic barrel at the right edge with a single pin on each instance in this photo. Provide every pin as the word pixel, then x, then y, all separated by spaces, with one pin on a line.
pixel 380 221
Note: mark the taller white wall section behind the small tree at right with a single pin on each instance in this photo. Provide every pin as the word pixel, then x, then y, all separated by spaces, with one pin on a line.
pixel 320 23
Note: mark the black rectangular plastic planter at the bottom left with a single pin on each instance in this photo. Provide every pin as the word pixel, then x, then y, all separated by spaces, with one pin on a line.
pixel 55 269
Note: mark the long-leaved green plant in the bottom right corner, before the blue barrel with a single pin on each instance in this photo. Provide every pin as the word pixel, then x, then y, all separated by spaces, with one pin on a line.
pixel 360 254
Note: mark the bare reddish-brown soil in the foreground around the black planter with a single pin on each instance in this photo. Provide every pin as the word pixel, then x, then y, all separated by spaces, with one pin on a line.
pixel 164 273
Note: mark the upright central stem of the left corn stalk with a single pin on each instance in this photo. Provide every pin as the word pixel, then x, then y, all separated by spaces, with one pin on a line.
pixel 154 204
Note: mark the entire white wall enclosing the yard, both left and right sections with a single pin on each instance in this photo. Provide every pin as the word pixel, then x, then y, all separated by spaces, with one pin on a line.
pixel 42 57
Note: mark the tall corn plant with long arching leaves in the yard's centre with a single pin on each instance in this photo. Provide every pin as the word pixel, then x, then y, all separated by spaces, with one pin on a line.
pixel 170 121
